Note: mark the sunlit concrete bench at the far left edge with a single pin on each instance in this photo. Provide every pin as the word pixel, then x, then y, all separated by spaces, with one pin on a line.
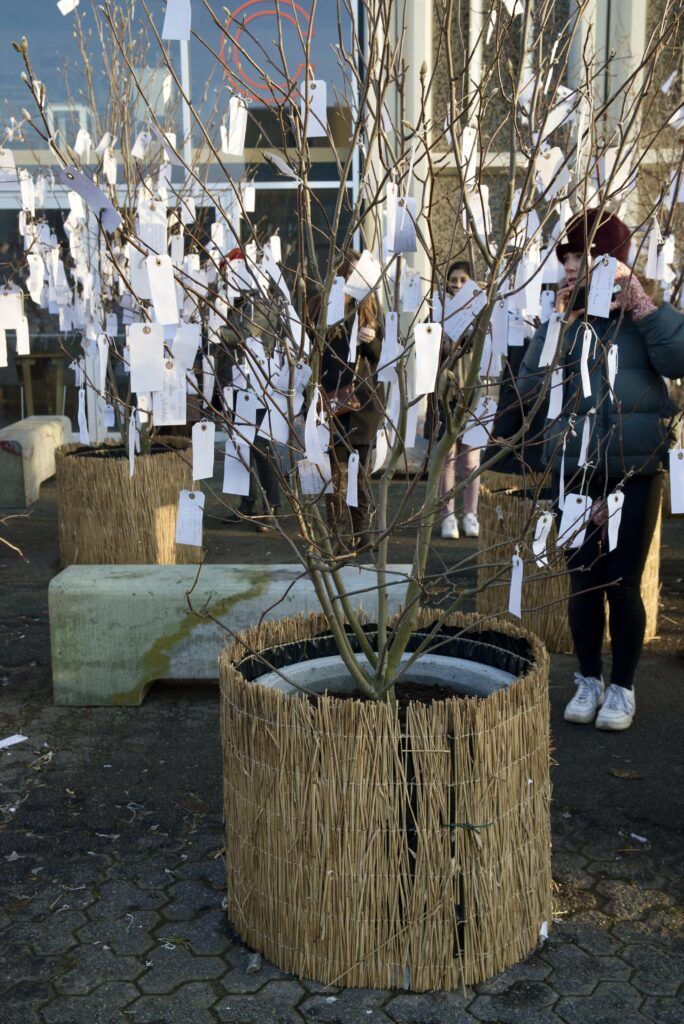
pixel 27 457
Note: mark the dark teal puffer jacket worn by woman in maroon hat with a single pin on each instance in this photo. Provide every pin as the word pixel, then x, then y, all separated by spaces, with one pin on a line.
pixel 630 435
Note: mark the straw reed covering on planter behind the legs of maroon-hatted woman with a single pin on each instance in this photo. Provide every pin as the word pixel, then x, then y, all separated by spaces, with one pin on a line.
pixel 505 519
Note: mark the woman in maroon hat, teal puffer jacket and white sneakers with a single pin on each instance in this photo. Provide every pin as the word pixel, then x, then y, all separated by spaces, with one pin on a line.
pixel 628 440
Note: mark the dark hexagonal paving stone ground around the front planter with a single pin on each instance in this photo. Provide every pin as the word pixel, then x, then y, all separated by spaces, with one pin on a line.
pixel 112 875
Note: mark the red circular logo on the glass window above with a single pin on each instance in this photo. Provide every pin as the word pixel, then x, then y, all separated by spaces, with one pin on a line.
pixel 240 70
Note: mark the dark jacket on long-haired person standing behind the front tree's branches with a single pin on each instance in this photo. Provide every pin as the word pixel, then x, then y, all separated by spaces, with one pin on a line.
pixel 336 372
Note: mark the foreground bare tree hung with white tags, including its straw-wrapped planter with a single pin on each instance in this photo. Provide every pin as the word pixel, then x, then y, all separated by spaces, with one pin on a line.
pixel 433 867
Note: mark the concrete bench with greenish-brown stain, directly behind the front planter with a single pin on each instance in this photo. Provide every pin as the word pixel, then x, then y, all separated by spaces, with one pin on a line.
pixel 117 629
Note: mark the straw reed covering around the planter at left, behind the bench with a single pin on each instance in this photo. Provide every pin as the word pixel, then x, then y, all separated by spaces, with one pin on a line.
pixel 109 519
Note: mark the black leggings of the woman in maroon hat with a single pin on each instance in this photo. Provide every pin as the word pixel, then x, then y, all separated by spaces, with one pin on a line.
pixel 597 574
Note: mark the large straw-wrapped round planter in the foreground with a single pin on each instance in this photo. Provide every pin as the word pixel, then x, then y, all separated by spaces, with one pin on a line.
pixel 384 846
